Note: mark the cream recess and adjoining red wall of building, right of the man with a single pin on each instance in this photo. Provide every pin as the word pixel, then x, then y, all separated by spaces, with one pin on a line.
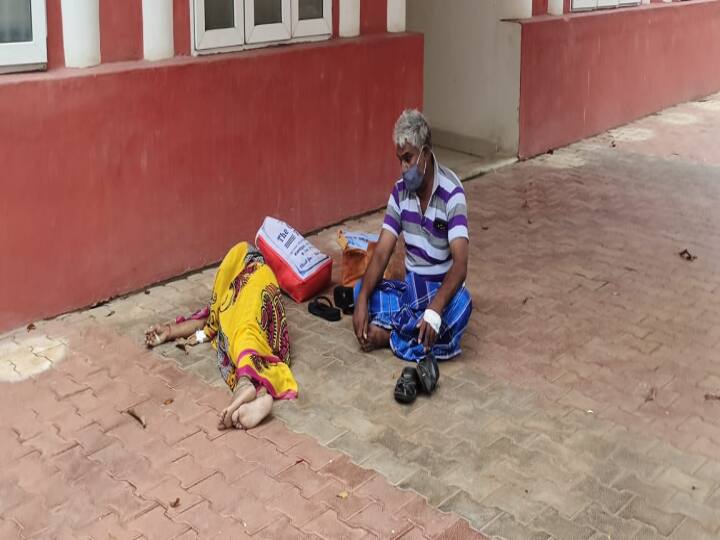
pixel 521 77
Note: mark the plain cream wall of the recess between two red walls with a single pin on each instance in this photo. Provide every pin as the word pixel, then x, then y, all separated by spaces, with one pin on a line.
pixel 472 70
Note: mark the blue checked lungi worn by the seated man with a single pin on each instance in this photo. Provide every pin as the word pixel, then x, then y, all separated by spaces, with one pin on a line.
pixel 398 306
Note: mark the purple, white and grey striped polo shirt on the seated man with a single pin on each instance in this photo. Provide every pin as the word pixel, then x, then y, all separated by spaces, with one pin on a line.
pixel 428 237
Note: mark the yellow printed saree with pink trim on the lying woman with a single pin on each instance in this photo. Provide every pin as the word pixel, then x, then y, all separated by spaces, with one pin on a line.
pixel 248 325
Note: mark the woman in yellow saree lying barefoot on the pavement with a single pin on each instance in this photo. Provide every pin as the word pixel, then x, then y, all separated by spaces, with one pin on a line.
pixel 247 325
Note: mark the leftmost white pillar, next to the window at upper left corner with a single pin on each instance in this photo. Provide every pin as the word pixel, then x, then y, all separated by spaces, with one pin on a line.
pixel 81 32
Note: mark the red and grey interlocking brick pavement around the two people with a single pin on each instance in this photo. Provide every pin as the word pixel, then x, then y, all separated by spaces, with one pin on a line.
pixel 584 405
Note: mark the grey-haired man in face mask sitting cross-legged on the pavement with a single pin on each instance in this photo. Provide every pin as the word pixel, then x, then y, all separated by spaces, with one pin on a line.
pixel 429 311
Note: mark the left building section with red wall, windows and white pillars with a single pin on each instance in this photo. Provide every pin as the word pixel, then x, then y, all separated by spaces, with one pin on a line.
pixel 158 133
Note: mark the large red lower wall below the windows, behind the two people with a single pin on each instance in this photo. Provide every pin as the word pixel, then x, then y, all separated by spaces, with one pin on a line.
pixel 116 176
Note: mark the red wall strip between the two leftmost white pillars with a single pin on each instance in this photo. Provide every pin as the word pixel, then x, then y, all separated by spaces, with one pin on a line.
pixel 121 30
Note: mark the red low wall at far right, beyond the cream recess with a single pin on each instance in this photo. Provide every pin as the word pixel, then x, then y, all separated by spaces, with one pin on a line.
pixel 584 73
